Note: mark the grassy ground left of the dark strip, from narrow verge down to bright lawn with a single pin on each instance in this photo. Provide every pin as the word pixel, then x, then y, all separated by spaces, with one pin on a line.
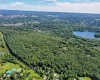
pixel 7 66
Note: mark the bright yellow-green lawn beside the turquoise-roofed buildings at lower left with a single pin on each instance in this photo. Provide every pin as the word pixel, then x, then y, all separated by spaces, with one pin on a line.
pixel 10 66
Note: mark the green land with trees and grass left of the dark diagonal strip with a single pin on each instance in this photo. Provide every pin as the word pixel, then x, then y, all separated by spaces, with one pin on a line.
pixel 8 62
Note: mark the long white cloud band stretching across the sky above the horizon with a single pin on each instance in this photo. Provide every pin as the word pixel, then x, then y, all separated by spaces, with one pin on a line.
pixel 57 7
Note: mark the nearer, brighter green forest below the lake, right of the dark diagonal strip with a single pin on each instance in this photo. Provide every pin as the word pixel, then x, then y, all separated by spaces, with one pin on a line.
pixel 48 54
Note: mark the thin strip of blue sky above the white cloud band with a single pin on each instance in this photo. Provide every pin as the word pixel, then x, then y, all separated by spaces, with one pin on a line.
pixel 38 1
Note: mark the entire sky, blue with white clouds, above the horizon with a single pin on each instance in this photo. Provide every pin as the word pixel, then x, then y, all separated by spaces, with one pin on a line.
pixel 76 6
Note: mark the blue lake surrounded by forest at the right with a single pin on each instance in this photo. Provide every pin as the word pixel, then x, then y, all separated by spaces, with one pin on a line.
pixel 85 34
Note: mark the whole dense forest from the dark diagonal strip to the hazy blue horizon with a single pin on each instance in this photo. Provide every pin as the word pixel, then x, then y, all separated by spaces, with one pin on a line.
pixel 46 43
